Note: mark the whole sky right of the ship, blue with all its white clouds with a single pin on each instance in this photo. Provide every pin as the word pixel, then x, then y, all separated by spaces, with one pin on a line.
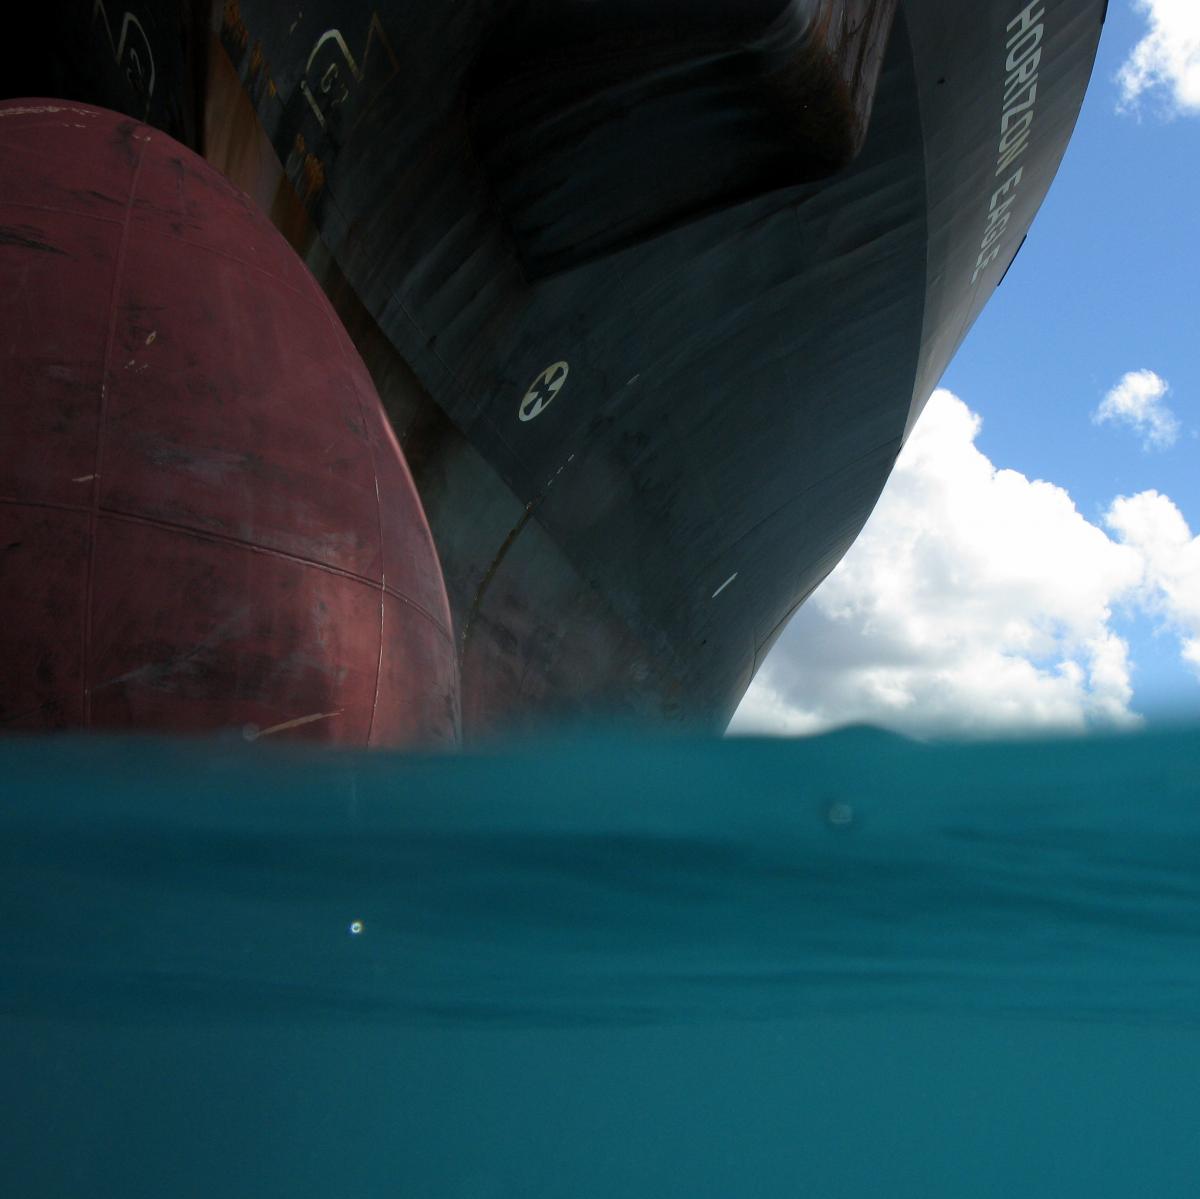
pixel 1084 613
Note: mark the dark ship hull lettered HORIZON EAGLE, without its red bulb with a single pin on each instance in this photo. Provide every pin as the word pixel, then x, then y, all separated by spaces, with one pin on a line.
pixel 652 293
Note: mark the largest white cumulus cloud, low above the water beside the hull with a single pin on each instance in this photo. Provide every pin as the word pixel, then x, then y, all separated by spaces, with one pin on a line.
pixel 977 602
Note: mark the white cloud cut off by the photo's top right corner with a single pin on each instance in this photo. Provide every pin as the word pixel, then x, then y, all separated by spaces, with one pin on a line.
pixel 1167 62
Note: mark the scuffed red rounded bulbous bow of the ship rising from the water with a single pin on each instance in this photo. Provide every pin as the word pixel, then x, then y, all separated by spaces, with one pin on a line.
pixel 206 521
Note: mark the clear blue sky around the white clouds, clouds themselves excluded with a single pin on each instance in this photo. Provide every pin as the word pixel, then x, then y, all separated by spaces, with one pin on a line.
pixel 1107 284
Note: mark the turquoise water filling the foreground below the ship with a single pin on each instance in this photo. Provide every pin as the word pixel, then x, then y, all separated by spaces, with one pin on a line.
pixel 847 967
